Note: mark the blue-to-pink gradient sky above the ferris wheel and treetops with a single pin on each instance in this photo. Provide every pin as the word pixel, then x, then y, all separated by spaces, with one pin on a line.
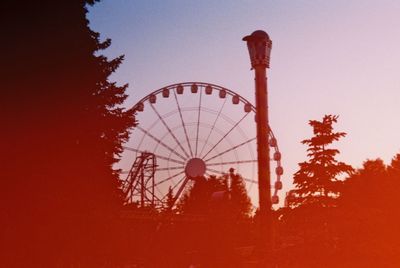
pixel 328 57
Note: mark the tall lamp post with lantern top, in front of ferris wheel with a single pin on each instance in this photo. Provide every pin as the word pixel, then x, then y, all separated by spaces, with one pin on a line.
pixel 259 45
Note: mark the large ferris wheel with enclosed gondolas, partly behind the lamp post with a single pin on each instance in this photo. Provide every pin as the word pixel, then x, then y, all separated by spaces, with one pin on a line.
pixel 188 130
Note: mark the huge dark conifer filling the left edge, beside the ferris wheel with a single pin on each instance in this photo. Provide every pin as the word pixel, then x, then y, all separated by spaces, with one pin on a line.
pixel 63 131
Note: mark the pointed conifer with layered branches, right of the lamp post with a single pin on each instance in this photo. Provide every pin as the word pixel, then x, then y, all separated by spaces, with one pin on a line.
pixel 317 179
